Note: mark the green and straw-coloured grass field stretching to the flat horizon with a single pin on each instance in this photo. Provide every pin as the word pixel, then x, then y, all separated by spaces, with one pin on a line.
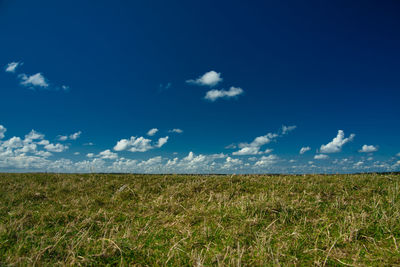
pixel 180 220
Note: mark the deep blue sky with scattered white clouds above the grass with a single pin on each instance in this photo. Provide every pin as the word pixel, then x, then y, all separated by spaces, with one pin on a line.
pixel 247 86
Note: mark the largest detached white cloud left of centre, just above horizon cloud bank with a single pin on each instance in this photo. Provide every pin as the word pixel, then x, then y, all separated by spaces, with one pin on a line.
pixel 139 144
